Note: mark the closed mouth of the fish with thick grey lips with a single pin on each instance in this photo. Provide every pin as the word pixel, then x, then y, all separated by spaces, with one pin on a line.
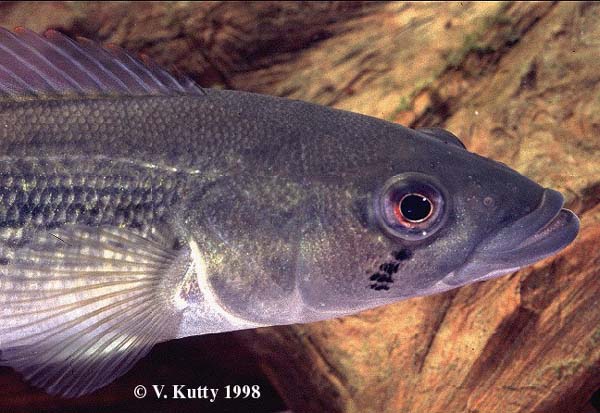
pixel 539 234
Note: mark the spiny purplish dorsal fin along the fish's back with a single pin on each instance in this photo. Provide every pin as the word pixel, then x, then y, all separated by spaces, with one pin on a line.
pixel 53 65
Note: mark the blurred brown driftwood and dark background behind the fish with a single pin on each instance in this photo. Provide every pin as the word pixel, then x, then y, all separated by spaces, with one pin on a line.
pixel 517 82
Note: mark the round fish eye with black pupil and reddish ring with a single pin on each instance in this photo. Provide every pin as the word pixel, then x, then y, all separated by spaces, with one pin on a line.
pixel 411 206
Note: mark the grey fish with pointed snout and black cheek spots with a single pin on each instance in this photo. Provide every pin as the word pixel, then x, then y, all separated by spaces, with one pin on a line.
pixel 137 207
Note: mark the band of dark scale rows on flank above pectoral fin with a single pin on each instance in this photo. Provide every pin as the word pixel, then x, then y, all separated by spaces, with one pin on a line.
pixel 41 193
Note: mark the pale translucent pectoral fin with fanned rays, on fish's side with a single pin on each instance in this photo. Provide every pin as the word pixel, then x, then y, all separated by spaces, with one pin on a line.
pixel 80 305
